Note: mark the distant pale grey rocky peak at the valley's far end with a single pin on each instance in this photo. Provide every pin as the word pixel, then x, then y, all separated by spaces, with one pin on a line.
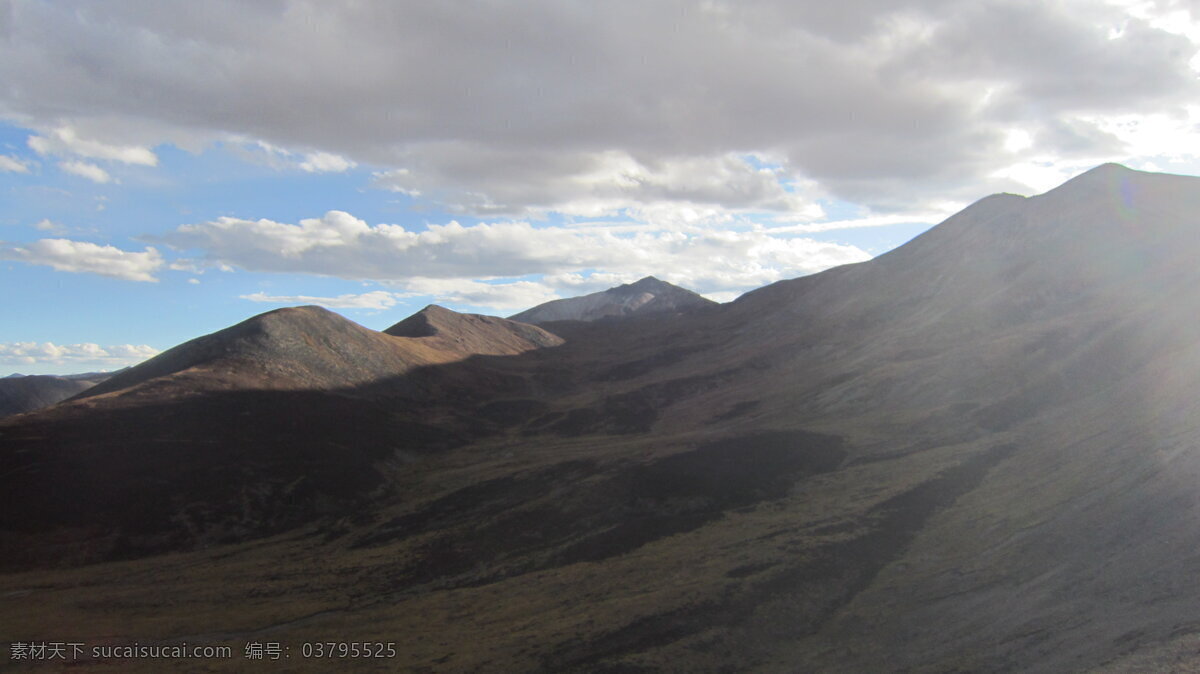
pixel 646 297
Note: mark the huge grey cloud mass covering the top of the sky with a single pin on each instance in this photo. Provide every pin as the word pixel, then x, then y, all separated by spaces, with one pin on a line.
pixel 545 106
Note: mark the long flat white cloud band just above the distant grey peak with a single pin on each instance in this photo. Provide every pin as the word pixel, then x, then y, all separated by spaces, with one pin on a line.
pixel 341 245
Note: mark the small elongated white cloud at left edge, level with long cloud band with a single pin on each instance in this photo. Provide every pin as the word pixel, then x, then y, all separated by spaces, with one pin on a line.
pixel 65 255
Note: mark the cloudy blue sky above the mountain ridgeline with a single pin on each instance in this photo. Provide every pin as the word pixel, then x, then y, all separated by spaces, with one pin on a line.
pixel 170 168
